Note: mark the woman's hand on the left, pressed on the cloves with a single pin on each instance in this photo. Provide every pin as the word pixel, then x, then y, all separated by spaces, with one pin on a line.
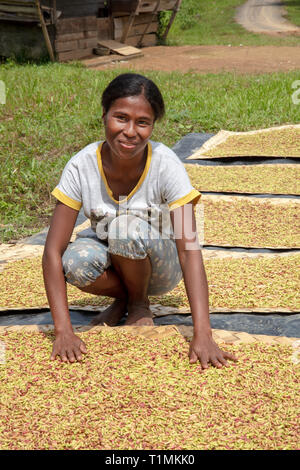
pixel 68 346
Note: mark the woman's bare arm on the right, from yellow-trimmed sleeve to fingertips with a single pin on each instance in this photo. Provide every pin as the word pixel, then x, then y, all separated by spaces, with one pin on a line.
pixel 202 346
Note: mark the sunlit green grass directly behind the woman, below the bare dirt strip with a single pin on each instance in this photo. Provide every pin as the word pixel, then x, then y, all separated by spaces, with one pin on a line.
pixel 54 110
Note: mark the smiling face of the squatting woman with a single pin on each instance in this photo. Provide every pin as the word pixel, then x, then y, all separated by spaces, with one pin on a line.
pixel 128 124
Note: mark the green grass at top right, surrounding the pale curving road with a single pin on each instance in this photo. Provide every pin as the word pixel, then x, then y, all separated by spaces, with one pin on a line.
pixel 212 22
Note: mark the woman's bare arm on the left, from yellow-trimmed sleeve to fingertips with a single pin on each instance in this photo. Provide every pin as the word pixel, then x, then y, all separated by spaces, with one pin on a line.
pixel 67 345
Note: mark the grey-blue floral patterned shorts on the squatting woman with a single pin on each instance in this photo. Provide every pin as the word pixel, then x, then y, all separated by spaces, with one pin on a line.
pixel 131 237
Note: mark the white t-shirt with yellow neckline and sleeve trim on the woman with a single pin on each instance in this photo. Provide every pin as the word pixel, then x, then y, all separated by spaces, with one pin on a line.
pixel 163 186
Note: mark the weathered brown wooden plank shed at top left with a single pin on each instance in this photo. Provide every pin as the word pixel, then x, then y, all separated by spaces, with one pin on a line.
pixel 71 29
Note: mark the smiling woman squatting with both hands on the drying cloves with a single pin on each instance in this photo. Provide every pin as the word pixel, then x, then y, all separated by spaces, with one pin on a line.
pixel 143 238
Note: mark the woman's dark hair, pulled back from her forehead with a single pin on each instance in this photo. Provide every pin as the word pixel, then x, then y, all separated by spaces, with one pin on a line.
pixel 133 84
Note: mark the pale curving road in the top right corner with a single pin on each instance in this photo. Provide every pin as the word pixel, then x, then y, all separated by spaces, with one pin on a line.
pixel 264 16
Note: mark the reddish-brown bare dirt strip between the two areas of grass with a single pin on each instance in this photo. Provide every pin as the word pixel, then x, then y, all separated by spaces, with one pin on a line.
pixel 204 59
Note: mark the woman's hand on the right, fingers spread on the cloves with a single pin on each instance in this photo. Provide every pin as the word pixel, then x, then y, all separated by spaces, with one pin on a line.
pixel 204 349
